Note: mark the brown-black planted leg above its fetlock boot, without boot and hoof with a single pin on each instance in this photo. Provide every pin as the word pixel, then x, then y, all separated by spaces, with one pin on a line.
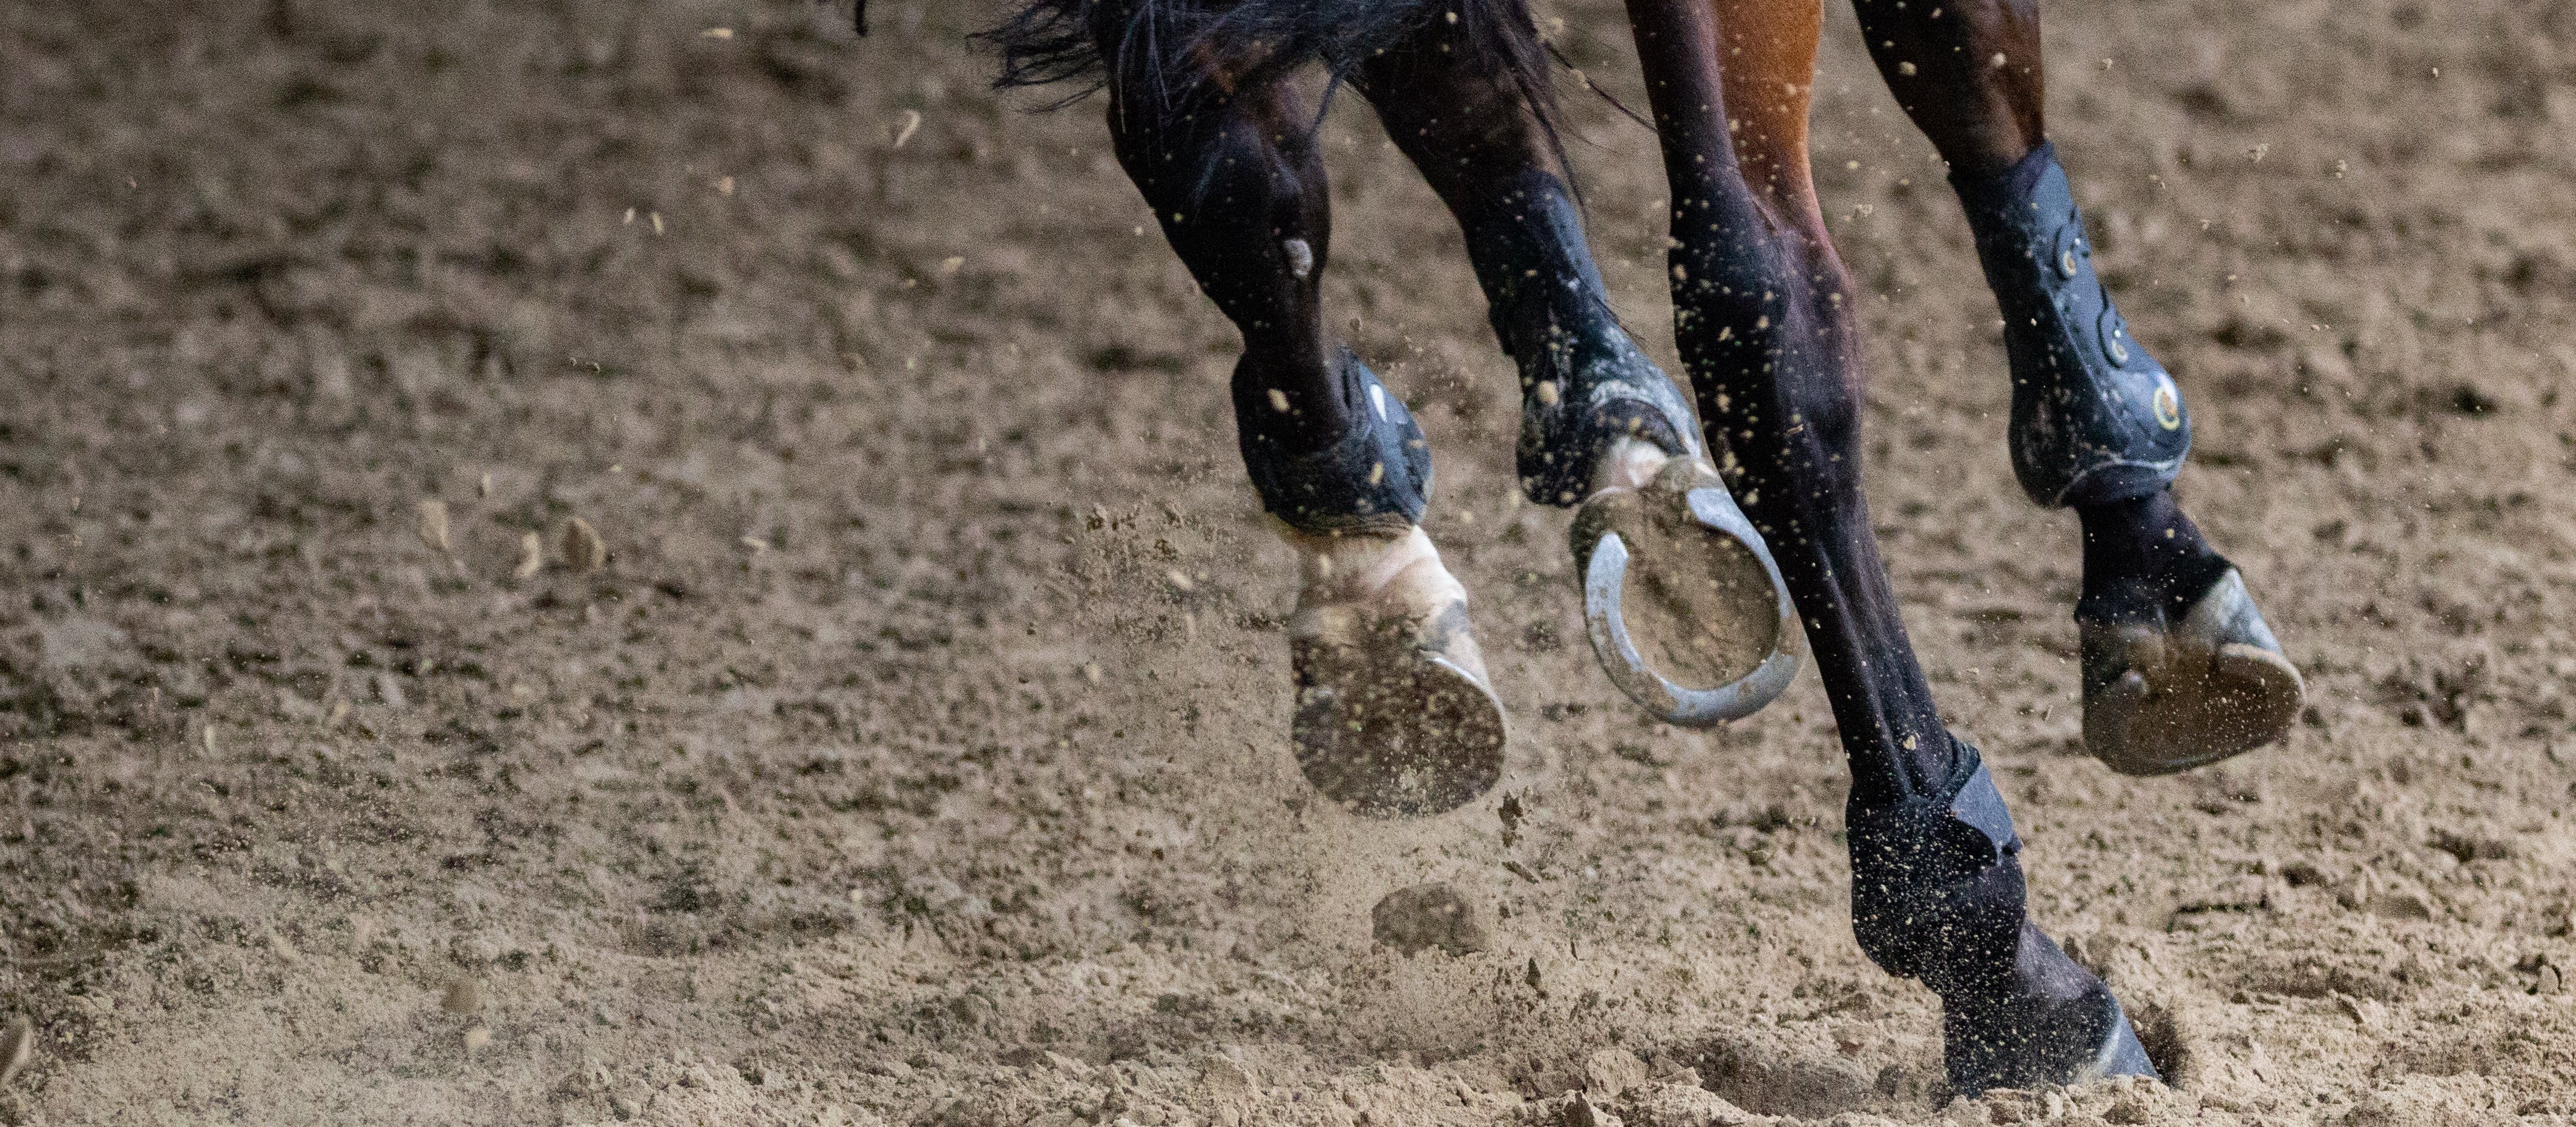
pixel 1768 336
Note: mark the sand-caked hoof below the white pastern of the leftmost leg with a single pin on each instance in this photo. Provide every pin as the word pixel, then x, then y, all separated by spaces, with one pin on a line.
pixel 1395 729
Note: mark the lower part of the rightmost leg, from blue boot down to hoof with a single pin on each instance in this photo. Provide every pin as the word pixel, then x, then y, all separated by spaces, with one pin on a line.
pixel 2178 665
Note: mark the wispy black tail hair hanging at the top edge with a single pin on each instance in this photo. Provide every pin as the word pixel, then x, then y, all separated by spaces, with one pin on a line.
pixel 1261 42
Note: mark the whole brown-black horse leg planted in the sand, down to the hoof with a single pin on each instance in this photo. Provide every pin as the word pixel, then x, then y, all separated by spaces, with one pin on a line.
pixel 1768 333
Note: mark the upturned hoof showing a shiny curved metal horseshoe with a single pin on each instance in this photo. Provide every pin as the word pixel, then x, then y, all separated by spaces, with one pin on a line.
pixel 1683 601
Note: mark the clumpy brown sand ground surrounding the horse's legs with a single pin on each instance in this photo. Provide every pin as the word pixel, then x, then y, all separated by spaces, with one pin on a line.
pixel 918 747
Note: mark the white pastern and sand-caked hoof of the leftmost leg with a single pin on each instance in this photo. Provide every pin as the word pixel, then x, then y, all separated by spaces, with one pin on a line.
pixel 1392 711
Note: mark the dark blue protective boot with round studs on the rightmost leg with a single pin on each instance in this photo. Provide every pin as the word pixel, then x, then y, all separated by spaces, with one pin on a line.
pixel 2093 416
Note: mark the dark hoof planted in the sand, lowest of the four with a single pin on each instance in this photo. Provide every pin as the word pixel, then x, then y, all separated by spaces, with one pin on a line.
pixel 2054 1025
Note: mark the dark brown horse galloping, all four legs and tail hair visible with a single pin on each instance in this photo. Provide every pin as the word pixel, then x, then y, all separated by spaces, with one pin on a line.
pixel 1701 591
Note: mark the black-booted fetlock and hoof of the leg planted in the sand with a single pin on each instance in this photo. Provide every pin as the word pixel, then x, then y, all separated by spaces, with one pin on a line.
pixel 1938 897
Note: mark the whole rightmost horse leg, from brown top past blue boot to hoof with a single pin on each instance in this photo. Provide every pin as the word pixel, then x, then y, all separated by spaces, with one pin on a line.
pixel 2181 670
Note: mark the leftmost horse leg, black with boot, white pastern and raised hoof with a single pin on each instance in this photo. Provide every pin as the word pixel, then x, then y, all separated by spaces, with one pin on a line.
pixel 1395 711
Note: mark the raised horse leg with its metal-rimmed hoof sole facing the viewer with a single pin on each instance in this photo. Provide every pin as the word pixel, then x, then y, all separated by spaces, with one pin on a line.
pixel 1681 596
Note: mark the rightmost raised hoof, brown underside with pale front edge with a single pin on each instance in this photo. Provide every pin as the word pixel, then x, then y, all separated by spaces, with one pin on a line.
pixel 2168 699
